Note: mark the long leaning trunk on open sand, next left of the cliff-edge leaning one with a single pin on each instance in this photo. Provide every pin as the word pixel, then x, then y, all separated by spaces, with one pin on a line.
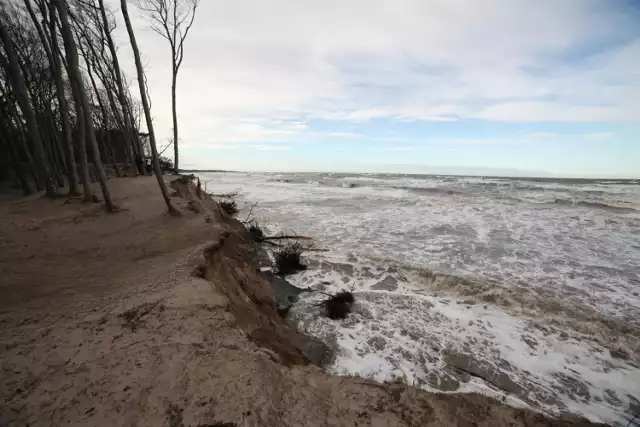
pixel 74 74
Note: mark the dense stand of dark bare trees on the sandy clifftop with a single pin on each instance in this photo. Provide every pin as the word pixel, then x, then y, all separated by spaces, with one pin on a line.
pixel 69 115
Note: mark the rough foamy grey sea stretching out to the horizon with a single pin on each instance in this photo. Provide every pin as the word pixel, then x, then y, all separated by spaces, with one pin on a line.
pixel 523 289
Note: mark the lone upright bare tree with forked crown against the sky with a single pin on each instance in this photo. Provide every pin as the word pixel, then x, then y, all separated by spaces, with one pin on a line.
pixel 172 19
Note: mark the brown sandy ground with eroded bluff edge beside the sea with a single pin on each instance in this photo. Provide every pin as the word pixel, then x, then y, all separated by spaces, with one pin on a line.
pixel 103 324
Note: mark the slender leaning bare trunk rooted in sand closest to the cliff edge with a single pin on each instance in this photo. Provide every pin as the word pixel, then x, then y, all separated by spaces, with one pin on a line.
pixel 145 105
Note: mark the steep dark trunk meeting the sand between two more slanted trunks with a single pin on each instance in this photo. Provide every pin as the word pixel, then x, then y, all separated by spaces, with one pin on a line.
pixel 67 140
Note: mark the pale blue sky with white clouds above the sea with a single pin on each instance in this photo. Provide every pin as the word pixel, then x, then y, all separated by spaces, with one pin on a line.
pixel 502 87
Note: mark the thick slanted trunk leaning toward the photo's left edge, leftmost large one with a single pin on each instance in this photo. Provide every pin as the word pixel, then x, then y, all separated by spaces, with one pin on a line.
pixel 17 82
